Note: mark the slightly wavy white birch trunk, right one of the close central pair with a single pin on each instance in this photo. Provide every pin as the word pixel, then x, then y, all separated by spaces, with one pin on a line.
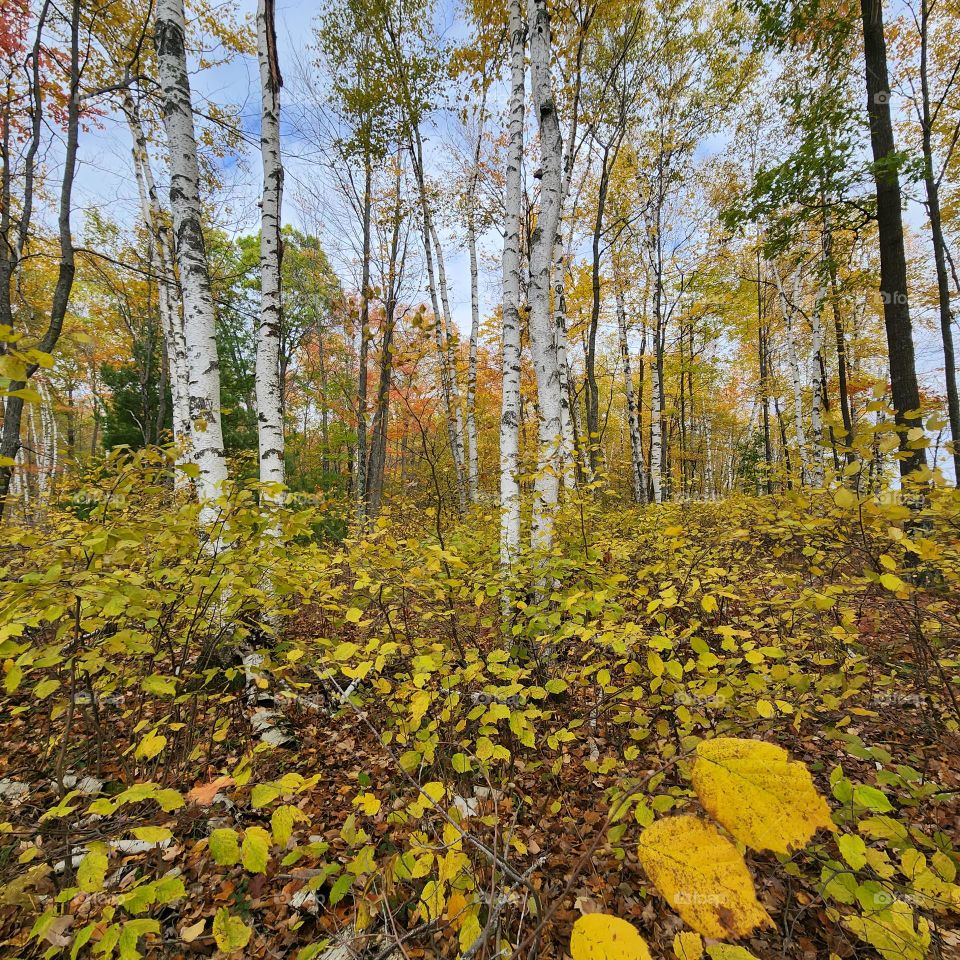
pixel 543 340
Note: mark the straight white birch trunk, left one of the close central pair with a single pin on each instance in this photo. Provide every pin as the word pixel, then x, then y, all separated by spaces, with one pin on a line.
pixel 510 401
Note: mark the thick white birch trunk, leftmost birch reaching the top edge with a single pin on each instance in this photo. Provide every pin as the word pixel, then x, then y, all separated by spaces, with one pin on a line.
pixel 199 326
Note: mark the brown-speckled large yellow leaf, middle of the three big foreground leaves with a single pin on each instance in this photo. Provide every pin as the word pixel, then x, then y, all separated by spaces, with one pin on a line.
pixel 702 876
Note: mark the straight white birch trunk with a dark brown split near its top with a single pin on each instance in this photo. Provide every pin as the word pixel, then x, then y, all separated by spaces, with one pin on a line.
pixel 268 386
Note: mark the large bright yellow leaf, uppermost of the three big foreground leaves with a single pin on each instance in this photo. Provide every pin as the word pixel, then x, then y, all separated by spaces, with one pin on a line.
pixel 765 799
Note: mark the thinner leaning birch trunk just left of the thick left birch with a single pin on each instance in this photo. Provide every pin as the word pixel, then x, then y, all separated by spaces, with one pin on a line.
pixel 161 263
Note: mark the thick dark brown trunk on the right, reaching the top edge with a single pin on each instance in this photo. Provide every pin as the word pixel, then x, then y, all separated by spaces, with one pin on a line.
pixel 893 262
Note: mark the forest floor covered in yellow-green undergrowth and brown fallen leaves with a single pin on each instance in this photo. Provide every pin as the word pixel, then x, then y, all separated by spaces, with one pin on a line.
pixel 477 793
